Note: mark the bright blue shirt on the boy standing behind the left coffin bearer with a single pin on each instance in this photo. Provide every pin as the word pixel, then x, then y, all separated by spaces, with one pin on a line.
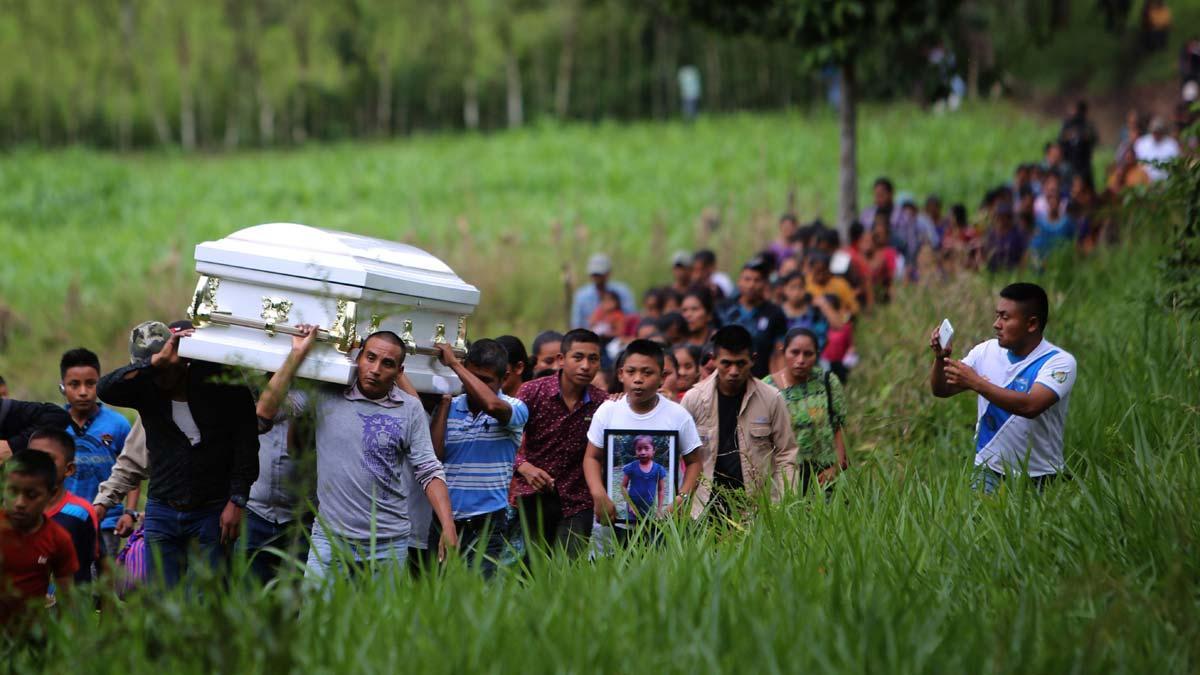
pixel 98 444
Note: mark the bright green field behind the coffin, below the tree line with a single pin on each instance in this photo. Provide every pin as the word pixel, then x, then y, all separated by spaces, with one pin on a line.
pixel 94 244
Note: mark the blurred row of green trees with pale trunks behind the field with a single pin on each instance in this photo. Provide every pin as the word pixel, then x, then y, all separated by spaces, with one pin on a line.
pixel 136 74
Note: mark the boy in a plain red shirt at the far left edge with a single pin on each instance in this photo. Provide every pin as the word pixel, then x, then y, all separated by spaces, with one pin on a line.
pixel 33 548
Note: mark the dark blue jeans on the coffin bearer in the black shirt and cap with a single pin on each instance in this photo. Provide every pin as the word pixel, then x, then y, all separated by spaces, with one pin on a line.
pixel 172 535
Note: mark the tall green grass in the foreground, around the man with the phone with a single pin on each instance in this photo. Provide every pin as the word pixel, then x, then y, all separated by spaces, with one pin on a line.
pixel 904 571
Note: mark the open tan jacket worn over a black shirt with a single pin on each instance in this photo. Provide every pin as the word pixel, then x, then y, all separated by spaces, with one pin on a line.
pixel 765 438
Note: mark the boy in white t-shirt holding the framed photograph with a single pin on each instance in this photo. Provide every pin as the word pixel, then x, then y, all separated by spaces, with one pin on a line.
pixel 643 409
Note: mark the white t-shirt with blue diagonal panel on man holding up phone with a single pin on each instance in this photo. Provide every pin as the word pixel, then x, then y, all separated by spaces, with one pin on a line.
pixel 1039 440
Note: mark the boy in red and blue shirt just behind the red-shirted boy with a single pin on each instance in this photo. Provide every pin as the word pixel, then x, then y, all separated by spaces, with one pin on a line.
pixel 71 512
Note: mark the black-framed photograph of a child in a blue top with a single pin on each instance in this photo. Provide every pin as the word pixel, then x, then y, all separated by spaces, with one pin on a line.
pixel 641 467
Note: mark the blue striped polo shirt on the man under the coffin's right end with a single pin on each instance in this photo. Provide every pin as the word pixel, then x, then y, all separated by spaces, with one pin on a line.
pixel 479 457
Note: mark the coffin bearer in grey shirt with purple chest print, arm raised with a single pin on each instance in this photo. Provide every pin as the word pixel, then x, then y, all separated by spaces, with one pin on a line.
pixel 370 437
